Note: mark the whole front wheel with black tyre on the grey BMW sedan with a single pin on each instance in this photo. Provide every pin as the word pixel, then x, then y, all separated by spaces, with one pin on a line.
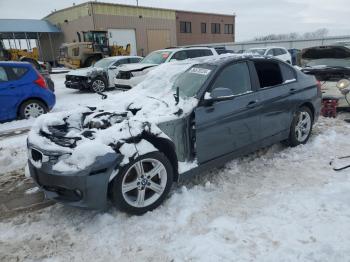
pixel 143 184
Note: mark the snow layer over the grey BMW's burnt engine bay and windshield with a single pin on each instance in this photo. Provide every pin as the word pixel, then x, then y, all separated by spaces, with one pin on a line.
pixel 115 125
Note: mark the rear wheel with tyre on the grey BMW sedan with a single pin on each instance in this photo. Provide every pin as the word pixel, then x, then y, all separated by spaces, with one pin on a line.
pixel 301 127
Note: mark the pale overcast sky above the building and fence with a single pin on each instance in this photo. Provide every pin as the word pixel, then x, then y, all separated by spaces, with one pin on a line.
pixel 254 17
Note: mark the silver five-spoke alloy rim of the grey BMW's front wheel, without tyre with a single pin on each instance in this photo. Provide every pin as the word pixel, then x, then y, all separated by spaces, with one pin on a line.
pixel 144 183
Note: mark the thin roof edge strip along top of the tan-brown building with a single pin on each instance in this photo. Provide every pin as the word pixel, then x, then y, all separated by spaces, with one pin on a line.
pixel 134 6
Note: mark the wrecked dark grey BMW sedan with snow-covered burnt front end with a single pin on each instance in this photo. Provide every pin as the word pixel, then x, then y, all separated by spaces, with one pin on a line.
pixel 184 118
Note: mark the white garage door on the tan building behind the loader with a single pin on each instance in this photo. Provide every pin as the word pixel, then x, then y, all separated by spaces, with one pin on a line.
pixel 123 37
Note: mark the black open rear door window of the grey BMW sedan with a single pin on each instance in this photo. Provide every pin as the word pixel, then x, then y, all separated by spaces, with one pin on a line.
pixel 269 73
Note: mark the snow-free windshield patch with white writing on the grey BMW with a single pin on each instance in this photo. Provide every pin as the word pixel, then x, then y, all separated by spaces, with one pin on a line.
pixel 192 80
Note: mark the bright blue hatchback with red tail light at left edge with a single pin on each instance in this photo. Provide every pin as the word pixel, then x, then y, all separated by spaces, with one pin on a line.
pixel 24 92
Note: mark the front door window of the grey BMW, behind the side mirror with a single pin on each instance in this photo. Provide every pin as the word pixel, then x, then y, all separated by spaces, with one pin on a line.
pixel 236 77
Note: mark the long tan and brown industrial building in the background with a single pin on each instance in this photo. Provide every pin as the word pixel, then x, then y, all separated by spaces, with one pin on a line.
pixel 146 29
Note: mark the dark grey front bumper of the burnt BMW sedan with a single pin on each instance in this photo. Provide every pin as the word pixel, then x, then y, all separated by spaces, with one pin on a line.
pixel 87 188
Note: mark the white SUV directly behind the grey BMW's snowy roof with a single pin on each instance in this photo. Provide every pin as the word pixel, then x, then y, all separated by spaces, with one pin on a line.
pixel 132 74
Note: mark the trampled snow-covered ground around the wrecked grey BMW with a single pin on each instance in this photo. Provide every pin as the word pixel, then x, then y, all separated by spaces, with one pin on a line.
pixel 278 204
